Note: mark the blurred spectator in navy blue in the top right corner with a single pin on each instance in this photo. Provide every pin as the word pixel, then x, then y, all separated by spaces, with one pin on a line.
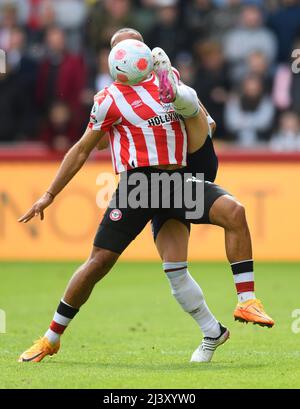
pixel 285 23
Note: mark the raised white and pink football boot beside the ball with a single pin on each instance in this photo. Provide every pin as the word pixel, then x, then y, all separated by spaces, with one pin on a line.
pixel 165 74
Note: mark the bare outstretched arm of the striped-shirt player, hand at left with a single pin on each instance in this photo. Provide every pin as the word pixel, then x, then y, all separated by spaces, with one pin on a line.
pixel 71 164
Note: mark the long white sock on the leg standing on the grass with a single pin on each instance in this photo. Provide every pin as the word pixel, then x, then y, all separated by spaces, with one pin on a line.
pixel 190 296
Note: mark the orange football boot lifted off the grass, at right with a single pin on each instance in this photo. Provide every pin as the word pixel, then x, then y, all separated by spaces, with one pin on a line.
pixel 253 311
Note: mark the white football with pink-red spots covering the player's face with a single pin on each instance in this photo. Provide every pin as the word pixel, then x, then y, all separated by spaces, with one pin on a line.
pixel 130 62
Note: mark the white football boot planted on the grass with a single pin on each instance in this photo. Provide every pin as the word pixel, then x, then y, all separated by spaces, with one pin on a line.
pixel 206 349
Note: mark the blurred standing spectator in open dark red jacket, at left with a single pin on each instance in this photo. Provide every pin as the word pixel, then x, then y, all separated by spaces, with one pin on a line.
pixel 61 75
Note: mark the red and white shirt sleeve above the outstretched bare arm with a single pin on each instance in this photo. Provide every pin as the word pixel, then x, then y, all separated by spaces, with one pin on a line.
pixel 104 113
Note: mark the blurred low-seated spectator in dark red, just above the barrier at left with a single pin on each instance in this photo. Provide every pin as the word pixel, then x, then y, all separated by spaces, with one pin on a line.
pixel 59 132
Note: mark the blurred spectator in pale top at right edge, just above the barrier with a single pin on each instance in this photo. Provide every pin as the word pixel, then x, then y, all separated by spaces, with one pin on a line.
pixel 287 137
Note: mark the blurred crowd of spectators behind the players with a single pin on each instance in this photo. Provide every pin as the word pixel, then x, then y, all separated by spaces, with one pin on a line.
pixel 236 54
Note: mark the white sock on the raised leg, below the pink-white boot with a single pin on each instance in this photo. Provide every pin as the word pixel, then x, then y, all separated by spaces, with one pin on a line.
pixel 186 102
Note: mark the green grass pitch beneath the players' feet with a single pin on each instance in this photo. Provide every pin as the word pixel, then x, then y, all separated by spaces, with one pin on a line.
pixel 132 334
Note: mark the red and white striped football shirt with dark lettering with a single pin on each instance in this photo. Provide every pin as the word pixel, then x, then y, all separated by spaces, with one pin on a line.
pixel 143 131
